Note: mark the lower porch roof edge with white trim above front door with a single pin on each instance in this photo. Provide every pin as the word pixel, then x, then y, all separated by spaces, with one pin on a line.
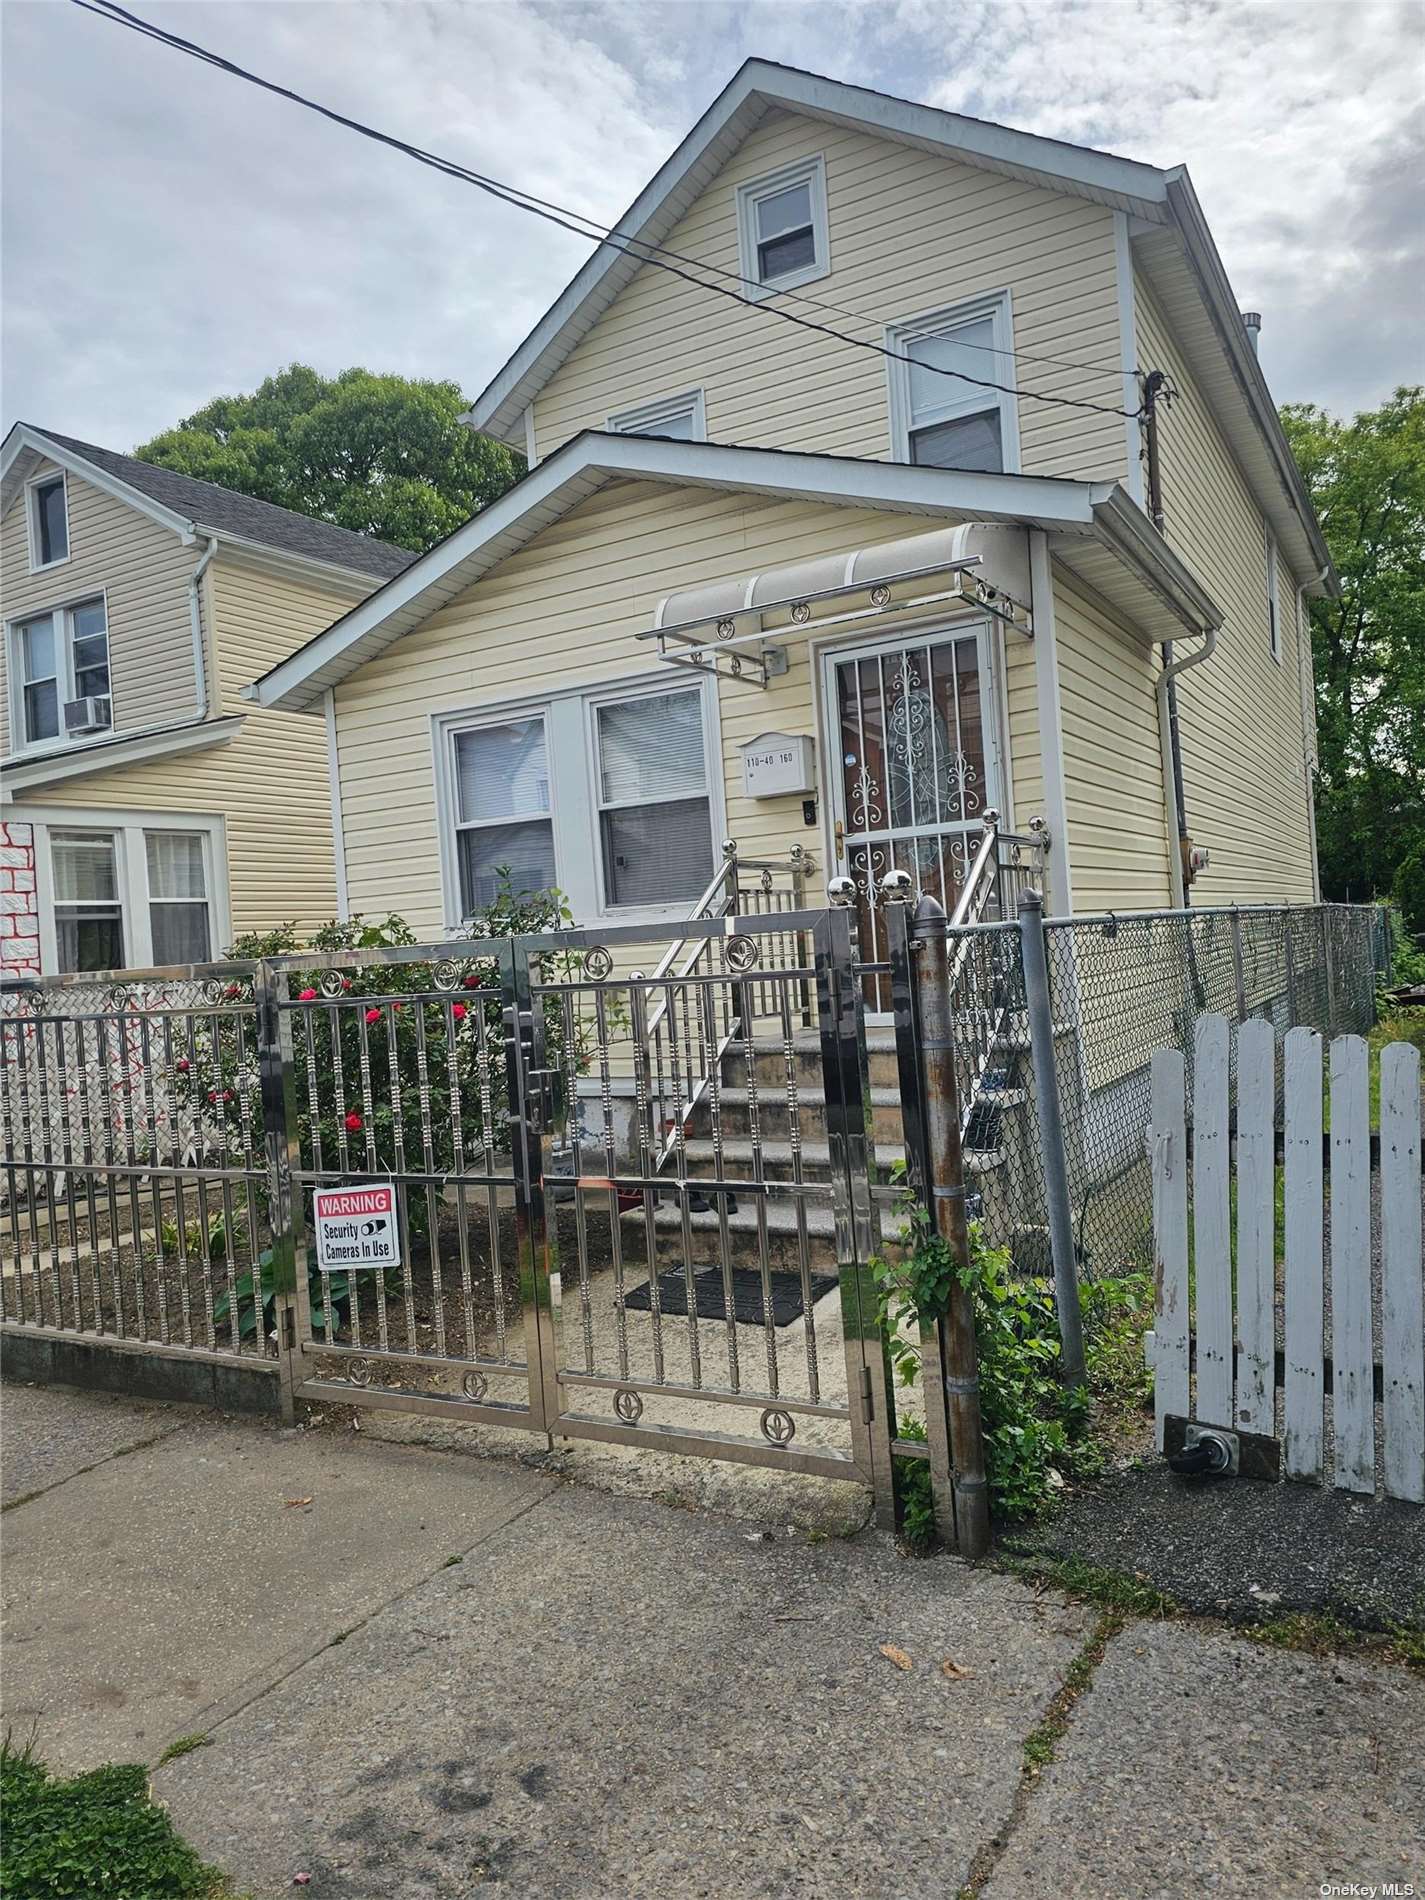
pixel 1095 529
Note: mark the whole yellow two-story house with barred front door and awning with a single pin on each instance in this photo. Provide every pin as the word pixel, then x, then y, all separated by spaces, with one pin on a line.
pixel 902 550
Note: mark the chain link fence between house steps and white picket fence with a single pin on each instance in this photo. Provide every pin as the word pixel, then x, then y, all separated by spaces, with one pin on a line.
pixel 1122 987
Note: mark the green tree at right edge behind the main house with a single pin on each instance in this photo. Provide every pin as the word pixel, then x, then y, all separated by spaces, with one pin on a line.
pixel 1367 480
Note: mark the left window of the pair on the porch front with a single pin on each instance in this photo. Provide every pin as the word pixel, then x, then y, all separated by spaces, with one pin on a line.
pixel 504 816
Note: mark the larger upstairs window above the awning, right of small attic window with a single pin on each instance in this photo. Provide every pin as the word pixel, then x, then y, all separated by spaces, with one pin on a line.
pixel 940 417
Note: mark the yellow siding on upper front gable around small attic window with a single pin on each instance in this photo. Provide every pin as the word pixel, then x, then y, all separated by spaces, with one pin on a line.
pixel 911 233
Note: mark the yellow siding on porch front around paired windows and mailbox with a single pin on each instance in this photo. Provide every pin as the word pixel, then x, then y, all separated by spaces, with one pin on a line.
pixel 560 615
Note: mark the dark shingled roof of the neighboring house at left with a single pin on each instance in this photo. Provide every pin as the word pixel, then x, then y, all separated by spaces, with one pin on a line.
pixel 204 508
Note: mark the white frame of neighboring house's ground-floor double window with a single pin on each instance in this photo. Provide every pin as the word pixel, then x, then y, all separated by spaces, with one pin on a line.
pixel 130 831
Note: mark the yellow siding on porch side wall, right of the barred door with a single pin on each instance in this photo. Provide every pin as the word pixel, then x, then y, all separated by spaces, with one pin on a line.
pixel 1112 759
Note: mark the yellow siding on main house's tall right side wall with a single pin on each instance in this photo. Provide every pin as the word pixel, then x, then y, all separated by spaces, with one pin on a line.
pixel 1242 713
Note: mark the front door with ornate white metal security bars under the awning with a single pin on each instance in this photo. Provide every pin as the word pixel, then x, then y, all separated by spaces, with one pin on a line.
pixel 909 770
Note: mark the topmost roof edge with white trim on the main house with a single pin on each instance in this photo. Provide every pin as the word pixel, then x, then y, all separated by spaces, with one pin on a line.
pixel 1183 263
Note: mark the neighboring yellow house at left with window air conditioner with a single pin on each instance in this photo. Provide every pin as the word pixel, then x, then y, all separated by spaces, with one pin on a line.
pixel 149 812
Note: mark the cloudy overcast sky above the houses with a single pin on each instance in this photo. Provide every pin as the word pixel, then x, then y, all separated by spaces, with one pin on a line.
pixel 172 235
